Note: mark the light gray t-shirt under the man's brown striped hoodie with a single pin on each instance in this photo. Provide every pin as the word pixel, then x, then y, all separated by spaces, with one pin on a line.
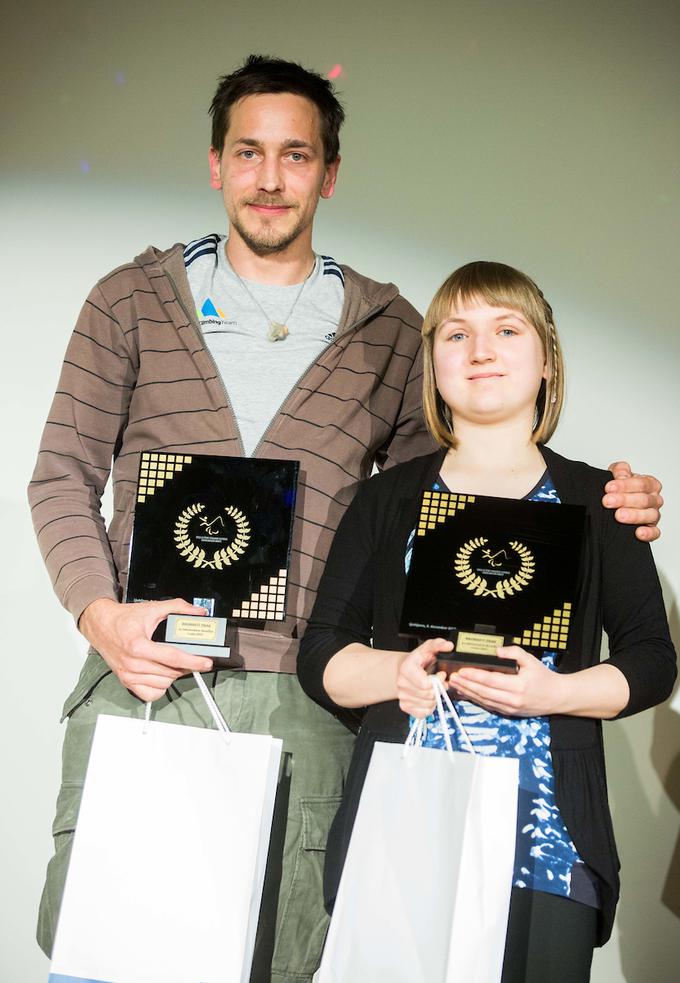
pixel 259 374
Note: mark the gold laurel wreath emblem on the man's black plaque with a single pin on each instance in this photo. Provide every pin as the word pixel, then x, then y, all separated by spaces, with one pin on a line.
pixel 226 535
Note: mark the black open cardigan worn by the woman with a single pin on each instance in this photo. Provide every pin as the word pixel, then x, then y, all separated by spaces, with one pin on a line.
pixel 360 598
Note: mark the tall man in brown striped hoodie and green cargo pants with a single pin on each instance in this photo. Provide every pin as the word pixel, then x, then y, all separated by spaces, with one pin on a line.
pixel 253 345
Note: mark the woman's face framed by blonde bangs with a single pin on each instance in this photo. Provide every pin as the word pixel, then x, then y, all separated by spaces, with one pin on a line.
pixel 489 364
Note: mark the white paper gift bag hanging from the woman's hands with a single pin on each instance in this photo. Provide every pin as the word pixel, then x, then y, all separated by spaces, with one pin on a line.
pixel 425 890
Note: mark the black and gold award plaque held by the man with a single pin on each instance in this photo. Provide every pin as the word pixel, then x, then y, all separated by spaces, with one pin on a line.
pixel 217 532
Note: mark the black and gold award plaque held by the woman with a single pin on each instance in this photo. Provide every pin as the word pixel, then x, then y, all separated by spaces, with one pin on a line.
pixel 487 572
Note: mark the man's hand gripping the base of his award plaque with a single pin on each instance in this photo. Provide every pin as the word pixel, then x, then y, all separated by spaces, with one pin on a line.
pixel 121 633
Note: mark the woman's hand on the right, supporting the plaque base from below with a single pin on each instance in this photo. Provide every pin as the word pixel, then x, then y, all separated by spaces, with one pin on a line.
pixel 535 691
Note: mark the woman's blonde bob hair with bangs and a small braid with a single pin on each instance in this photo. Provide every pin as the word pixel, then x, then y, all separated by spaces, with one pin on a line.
pixel 499 286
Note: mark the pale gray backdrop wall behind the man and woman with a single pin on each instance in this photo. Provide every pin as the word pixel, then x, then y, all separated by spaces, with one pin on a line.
pixel 543 134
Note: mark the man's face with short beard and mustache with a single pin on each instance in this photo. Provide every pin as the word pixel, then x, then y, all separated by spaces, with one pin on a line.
pixel 271 170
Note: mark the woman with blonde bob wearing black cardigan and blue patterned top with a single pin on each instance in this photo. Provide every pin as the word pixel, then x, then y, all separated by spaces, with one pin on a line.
pixel 493 391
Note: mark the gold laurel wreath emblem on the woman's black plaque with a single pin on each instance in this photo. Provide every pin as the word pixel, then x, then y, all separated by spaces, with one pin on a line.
pixel 494 570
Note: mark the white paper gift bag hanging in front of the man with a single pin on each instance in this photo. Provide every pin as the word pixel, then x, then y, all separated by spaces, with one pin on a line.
pixel 167 868
